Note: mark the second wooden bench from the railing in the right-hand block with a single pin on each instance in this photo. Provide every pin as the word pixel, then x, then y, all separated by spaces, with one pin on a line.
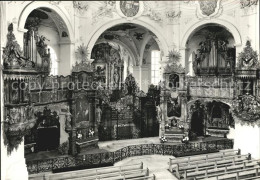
pixel 180 168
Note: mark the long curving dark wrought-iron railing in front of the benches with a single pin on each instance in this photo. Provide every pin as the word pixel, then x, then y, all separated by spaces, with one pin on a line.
pixel 99 159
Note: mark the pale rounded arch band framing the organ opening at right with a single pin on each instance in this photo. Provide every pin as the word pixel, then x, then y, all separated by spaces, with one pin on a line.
pixel 230 27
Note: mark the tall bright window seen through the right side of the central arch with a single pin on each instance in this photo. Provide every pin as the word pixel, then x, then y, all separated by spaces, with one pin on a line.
pixel 155 67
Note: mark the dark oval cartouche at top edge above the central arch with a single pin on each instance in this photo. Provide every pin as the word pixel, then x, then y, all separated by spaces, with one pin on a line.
pixel 129 8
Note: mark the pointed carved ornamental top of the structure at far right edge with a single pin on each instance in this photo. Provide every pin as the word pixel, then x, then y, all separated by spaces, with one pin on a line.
pixel 248 58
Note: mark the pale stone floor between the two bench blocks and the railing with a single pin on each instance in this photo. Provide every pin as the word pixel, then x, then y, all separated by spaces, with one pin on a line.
pixel 157 165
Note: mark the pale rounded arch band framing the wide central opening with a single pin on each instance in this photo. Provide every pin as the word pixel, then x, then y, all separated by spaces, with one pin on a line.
pixel 100 29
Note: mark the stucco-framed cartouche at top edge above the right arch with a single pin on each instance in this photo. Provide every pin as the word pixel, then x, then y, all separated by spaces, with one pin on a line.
pixel 209 8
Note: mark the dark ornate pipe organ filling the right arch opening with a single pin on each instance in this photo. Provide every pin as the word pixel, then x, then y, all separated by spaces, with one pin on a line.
pixel 216 53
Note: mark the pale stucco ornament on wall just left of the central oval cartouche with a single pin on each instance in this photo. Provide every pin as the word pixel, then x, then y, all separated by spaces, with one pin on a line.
pixel 105 10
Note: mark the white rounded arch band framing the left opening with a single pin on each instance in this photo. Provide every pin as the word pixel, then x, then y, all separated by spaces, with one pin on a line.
pixel 58 9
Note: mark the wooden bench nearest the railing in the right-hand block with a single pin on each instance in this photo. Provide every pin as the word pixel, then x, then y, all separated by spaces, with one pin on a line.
pixel 189 159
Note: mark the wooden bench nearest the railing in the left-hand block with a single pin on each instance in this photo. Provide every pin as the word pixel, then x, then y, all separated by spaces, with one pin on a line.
pixel 94 171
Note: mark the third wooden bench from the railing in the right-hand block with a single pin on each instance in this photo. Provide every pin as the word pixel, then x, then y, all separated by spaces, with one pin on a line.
pixel 206 172
